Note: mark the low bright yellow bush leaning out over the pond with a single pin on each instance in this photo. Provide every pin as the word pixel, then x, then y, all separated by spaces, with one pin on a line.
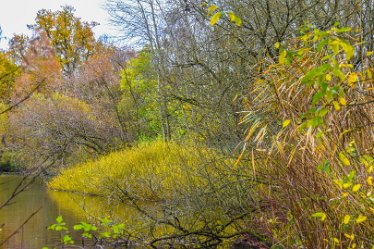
pixel 149 170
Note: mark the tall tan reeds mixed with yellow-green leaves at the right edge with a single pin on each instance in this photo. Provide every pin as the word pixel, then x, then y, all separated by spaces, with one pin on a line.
pixel 311 127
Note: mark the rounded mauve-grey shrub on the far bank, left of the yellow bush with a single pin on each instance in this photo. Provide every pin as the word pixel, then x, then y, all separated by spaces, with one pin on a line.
pixel 58 130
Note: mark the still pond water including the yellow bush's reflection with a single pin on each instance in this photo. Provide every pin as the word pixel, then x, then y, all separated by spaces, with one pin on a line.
pixel 74 208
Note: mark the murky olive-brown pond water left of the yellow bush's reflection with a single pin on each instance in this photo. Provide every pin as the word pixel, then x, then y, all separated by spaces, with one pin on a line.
pixel 34 233
